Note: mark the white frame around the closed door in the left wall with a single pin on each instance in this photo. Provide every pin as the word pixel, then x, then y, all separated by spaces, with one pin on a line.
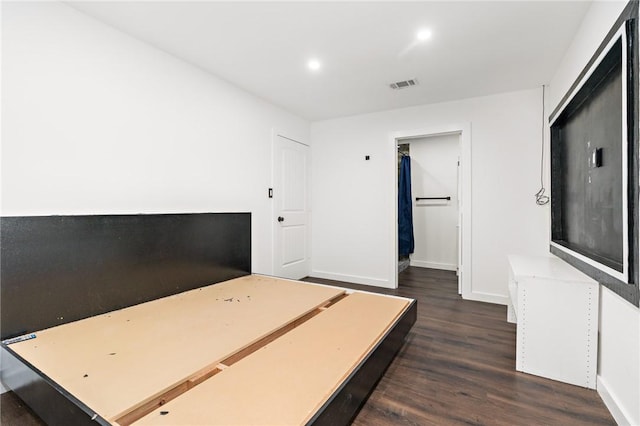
pixel 275 133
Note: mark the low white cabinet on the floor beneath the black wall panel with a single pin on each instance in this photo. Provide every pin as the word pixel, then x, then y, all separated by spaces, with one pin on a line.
pixel 555 307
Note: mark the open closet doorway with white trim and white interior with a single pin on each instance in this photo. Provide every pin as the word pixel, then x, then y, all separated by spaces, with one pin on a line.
pixel 440 202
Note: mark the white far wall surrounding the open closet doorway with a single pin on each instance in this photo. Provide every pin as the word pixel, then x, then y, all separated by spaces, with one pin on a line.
pixel 352 198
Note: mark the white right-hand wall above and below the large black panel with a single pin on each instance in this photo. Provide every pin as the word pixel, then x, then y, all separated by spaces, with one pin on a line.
pixel 619 351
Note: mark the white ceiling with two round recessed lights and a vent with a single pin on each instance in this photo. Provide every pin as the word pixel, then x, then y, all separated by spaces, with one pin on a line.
pixel 477 48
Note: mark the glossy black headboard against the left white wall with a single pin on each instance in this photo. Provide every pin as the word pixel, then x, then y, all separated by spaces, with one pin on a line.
pixel 58 269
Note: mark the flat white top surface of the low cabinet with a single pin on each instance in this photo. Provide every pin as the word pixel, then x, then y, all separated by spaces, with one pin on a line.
pixel 547 267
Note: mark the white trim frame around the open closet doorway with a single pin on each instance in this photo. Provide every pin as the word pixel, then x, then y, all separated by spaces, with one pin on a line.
pixel 465 261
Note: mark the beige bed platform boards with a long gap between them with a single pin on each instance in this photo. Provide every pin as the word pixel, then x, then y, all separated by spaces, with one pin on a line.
pixel 253 350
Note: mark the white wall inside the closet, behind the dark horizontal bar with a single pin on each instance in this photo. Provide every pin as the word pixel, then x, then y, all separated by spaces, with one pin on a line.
pixel 434 173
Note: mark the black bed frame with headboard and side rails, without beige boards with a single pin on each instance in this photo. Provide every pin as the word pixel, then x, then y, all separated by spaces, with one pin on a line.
pixel 122 259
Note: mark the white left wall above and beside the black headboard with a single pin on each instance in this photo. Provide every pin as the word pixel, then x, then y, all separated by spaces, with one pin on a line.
pixel 95 121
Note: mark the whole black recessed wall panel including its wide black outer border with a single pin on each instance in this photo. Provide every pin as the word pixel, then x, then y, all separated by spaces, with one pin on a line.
pixel 586 201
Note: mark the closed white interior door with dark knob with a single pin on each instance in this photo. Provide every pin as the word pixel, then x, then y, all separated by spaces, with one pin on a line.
pixel 291 212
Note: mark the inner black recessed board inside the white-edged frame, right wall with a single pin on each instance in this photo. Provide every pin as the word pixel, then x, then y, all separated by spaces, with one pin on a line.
pixel 588 199
